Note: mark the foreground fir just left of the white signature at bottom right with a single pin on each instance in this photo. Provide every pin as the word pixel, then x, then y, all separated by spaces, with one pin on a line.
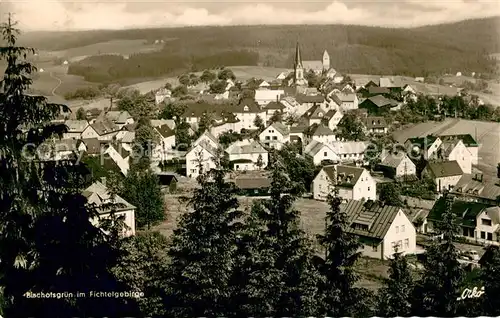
pixel 436 294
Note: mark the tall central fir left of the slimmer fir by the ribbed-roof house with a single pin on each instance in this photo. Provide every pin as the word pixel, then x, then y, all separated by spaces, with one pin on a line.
pixel 298 294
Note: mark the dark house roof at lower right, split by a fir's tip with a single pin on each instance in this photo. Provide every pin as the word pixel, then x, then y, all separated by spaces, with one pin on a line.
pixel 465 211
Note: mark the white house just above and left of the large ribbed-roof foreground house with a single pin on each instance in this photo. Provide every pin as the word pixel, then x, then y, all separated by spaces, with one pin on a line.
pixel 352 183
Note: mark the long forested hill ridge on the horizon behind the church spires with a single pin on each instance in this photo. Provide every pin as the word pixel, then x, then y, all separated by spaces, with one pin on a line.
pixel 427 50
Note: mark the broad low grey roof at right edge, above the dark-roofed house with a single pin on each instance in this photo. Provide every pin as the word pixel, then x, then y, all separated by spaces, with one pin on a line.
pixel 474 187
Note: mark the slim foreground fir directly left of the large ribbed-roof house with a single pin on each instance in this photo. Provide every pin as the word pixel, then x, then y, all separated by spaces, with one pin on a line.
pixel 340 296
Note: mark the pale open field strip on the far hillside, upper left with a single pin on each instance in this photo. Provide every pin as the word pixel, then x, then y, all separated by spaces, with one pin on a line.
pixel 123 47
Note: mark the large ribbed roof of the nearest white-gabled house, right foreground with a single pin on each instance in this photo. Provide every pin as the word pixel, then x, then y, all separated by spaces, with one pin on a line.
pixel 377 217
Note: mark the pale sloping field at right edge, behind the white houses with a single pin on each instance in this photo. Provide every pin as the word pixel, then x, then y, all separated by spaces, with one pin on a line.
pixel 487 135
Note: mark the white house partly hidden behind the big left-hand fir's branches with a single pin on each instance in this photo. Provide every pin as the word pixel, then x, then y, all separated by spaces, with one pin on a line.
pixel 98 194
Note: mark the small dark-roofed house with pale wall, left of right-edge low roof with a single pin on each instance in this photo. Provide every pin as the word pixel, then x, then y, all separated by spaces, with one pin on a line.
pixel 445 174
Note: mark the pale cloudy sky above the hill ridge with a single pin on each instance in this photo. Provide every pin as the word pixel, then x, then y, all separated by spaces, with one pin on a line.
pixel 51 15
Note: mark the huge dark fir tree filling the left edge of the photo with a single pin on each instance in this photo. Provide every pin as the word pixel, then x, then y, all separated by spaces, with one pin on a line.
pixel 48 242
